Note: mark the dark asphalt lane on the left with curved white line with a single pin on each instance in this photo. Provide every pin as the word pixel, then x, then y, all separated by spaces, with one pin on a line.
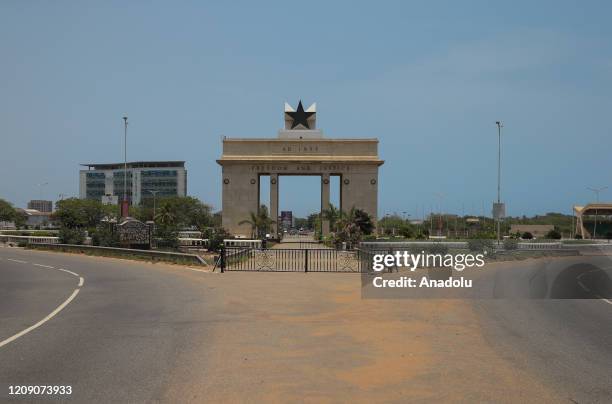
pixel 119 340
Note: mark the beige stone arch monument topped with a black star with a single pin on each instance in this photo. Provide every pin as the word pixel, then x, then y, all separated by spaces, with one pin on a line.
pixel 299 149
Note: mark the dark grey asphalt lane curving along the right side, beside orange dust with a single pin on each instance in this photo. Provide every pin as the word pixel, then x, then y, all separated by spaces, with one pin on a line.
pixel 567 342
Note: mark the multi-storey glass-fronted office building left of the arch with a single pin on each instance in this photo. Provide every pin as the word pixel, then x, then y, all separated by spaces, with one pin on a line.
pixel 103 181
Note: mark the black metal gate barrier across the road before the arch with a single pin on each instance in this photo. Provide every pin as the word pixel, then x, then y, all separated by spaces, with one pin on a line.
pixel 292 260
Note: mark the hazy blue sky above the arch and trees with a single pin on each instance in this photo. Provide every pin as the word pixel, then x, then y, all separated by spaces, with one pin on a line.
pixel 429 79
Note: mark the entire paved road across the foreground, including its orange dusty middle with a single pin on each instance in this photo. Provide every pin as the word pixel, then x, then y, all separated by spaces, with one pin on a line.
pixel 136 332
